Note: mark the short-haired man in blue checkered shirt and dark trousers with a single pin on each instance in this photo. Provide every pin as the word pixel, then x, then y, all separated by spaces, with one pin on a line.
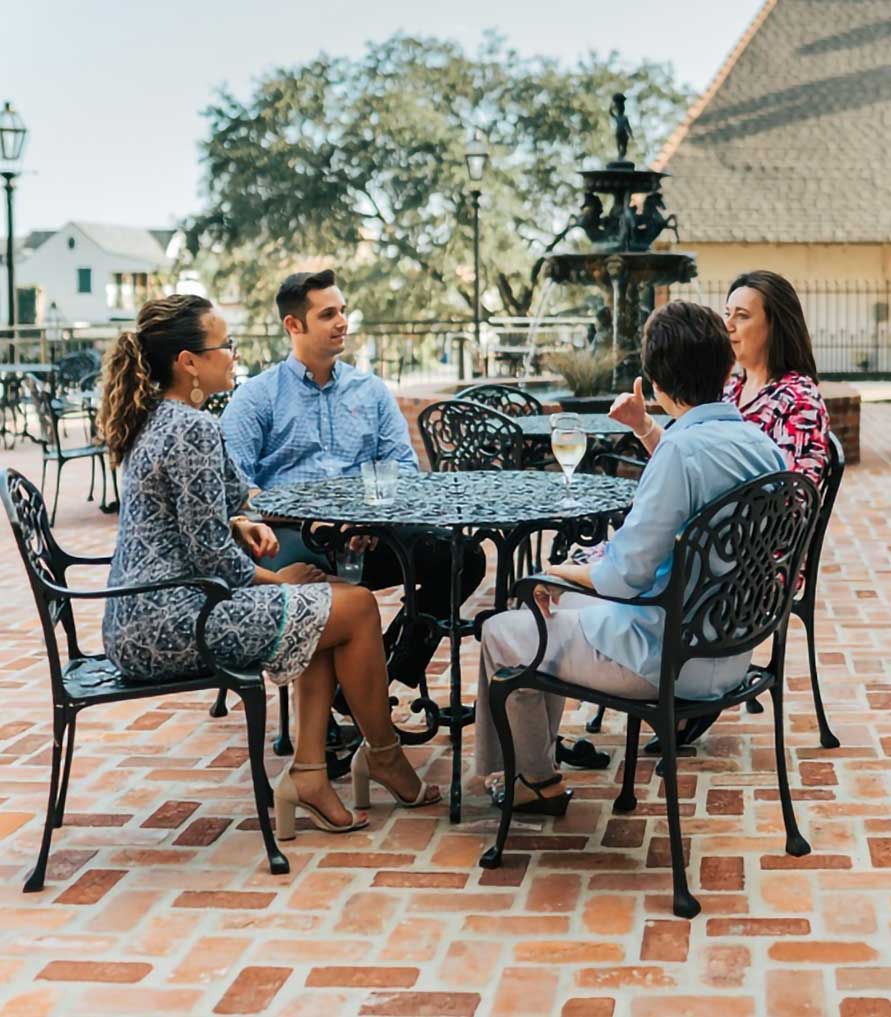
pixel 313 416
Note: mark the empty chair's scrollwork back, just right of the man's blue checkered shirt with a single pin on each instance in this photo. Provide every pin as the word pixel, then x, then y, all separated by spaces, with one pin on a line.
pixel 461 436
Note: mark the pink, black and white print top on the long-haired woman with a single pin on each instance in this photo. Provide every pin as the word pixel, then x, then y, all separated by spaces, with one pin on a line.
pixel 792 411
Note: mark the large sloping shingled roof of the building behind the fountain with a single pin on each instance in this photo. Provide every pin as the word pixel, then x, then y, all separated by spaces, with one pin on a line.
pixel 792 143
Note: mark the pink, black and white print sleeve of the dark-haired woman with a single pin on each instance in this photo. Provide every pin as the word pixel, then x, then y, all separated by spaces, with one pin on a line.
pixel 801 428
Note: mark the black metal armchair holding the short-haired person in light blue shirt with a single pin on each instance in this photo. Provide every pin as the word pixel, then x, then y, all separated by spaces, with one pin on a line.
pixel 734 575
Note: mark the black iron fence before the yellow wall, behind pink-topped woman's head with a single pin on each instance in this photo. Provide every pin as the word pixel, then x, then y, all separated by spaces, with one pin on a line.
pixel 849 322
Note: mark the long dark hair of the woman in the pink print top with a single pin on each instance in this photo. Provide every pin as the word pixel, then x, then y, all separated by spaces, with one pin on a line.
pixel 789 342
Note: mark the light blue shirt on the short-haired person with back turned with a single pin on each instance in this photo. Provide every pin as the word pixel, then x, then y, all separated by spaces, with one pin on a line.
pixel 706 453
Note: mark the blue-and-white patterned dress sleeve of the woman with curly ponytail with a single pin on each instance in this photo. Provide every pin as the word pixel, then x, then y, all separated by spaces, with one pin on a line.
pixel 196 469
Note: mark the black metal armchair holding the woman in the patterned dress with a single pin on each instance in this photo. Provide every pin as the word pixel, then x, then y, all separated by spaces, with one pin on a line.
pixel 91 680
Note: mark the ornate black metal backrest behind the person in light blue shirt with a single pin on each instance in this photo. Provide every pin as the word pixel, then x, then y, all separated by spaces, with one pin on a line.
pixel 735 569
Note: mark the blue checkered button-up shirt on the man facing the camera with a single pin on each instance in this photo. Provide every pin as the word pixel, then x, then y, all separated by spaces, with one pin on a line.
pixel 282 428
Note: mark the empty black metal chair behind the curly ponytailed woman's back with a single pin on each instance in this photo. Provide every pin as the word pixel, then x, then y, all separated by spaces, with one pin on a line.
pixel 52 414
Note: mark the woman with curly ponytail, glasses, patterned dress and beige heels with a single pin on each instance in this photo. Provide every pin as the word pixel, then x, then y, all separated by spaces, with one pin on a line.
pixel 182 496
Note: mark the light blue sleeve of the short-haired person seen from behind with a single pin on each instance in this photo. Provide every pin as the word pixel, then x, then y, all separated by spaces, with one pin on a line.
pixel 640 554
